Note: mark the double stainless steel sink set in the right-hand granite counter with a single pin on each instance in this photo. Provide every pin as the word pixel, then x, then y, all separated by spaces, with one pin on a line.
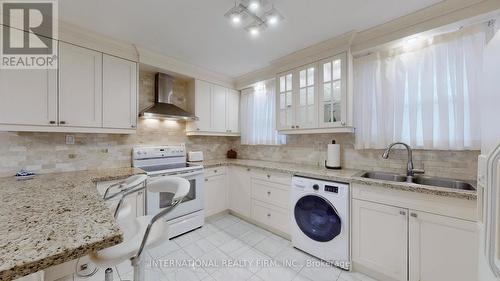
pixel 420 179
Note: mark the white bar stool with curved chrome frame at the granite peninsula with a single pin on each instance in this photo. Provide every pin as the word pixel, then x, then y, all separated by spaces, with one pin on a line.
pixel 142 233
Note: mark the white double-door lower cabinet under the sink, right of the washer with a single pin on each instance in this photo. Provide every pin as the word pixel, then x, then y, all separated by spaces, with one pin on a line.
pixel 396 243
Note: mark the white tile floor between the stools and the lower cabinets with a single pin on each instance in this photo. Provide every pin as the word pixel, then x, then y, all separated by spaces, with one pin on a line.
pixel 262 256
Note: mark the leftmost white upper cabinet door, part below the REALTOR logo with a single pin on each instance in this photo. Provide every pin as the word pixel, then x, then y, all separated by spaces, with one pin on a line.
pixel 28 97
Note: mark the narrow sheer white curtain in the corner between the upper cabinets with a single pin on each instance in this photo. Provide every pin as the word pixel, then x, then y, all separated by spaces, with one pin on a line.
pixel 258 115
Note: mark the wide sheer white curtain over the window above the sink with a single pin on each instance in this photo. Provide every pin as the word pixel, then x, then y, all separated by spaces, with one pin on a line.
pixel 424 94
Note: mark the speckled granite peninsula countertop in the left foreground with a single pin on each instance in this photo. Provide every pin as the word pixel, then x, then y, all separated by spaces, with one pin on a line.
pixel 54 218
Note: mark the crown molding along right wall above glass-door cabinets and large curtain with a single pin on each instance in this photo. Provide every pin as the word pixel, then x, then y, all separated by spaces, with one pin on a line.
pixel 440 14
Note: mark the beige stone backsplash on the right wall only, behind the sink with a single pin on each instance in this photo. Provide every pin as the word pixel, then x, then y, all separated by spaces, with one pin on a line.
pixel 311 149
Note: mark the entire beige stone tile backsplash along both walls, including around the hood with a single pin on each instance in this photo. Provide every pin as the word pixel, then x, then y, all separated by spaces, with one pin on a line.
pixel 47 152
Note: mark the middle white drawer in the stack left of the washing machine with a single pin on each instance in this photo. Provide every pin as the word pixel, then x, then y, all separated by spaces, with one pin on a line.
pixel 272 193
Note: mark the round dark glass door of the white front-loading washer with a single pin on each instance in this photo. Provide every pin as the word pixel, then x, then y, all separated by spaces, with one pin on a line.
pixel 317 218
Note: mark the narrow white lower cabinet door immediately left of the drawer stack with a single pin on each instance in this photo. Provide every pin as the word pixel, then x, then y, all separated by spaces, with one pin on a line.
pixel 240 191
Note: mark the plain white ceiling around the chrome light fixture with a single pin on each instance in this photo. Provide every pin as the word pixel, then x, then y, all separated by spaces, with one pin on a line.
pixel 195 31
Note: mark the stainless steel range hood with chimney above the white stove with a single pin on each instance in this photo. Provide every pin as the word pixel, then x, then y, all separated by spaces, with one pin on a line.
pixel 163 107
